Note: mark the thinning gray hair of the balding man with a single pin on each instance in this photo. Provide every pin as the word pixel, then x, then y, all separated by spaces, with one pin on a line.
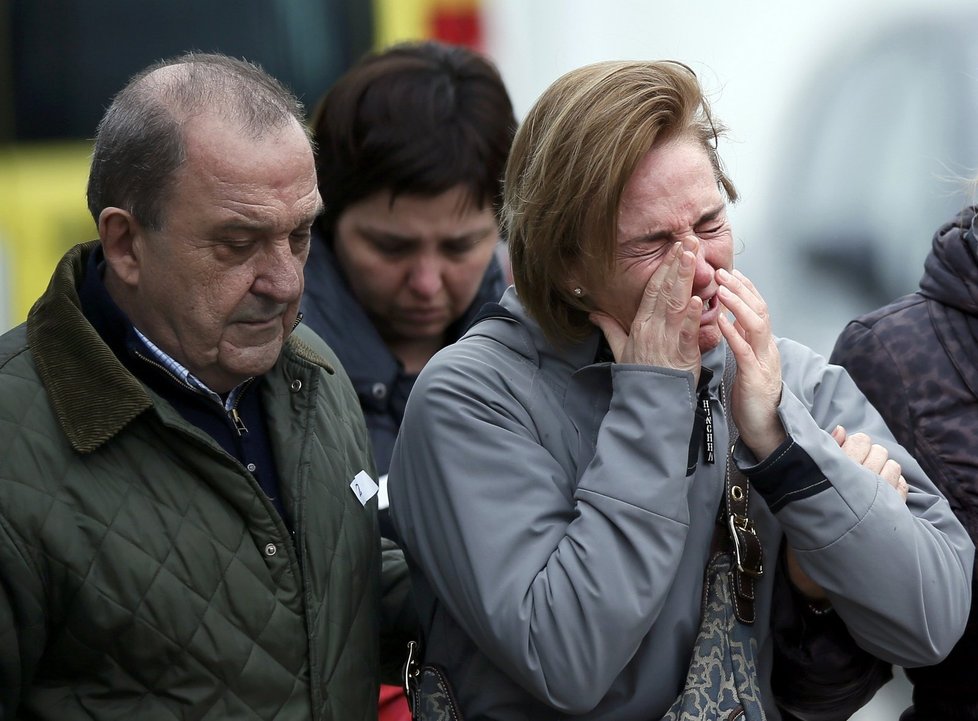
pixel 139 143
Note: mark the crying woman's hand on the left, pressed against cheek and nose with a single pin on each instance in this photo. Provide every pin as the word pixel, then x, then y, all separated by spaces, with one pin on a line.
pixel 665 329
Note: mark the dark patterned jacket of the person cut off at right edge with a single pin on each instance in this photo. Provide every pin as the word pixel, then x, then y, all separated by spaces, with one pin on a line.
pixel 916 360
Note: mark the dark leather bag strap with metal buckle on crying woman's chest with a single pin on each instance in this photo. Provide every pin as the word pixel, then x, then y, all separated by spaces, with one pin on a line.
pixel 748 555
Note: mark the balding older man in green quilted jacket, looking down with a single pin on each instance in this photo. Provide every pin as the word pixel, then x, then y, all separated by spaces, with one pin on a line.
pixel 188 528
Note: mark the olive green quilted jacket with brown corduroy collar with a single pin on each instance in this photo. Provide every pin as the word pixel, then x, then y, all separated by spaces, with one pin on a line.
pixel 144 575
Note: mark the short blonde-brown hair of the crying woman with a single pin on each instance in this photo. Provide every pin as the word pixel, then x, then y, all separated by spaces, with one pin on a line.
pixel 570 162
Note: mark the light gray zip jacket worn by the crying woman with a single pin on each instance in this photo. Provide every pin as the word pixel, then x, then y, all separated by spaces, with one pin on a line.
pixel 558 542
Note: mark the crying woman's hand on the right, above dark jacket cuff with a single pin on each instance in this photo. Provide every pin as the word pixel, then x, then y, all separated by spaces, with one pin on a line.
pixel 756 391
